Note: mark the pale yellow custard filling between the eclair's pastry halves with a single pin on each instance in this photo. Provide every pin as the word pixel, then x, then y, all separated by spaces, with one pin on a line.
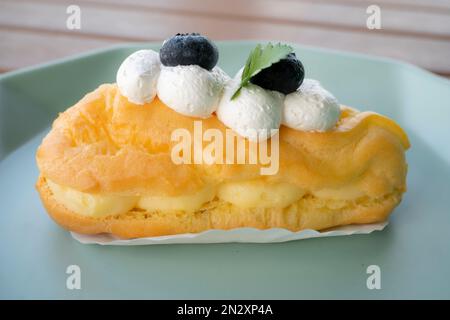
pixel 243 194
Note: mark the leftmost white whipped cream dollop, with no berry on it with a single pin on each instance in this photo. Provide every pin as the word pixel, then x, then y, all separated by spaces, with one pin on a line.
pixel 137 76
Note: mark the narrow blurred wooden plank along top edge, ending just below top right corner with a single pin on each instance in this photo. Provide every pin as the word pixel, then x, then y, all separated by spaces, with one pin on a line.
pixel 333 15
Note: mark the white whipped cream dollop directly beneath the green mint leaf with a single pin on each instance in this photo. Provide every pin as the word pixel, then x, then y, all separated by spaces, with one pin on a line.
pixel 254 114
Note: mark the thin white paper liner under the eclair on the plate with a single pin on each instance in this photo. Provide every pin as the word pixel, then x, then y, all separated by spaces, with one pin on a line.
pixel 249 235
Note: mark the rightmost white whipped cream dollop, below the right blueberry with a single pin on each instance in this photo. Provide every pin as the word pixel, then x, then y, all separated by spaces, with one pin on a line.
pixel 310 108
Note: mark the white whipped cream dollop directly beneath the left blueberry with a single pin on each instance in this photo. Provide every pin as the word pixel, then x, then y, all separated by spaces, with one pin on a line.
pixel 191 90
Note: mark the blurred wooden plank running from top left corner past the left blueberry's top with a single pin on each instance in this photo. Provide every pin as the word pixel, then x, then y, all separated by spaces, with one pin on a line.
pixel 135 24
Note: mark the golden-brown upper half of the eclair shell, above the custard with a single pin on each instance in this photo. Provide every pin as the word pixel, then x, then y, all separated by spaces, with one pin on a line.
pixel 105 144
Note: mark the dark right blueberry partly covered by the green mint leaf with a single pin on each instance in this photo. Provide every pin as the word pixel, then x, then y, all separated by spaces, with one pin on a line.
pixel 285 76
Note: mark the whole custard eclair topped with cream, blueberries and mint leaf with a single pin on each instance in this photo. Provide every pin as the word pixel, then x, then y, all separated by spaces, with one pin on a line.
pixel 110 163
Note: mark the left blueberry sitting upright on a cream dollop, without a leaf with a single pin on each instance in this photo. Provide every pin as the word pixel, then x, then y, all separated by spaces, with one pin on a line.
pixel 187 49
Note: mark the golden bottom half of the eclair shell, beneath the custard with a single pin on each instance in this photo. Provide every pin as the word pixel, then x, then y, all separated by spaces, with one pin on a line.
pixel 309 212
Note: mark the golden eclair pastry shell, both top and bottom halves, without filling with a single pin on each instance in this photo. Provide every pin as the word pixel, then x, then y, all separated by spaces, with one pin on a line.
pixel 106 145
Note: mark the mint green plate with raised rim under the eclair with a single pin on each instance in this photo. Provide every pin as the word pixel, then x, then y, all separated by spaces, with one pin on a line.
pixel 413 252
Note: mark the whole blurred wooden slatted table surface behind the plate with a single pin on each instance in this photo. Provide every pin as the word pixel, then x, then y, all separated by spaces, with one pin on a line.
pixel 416 31
